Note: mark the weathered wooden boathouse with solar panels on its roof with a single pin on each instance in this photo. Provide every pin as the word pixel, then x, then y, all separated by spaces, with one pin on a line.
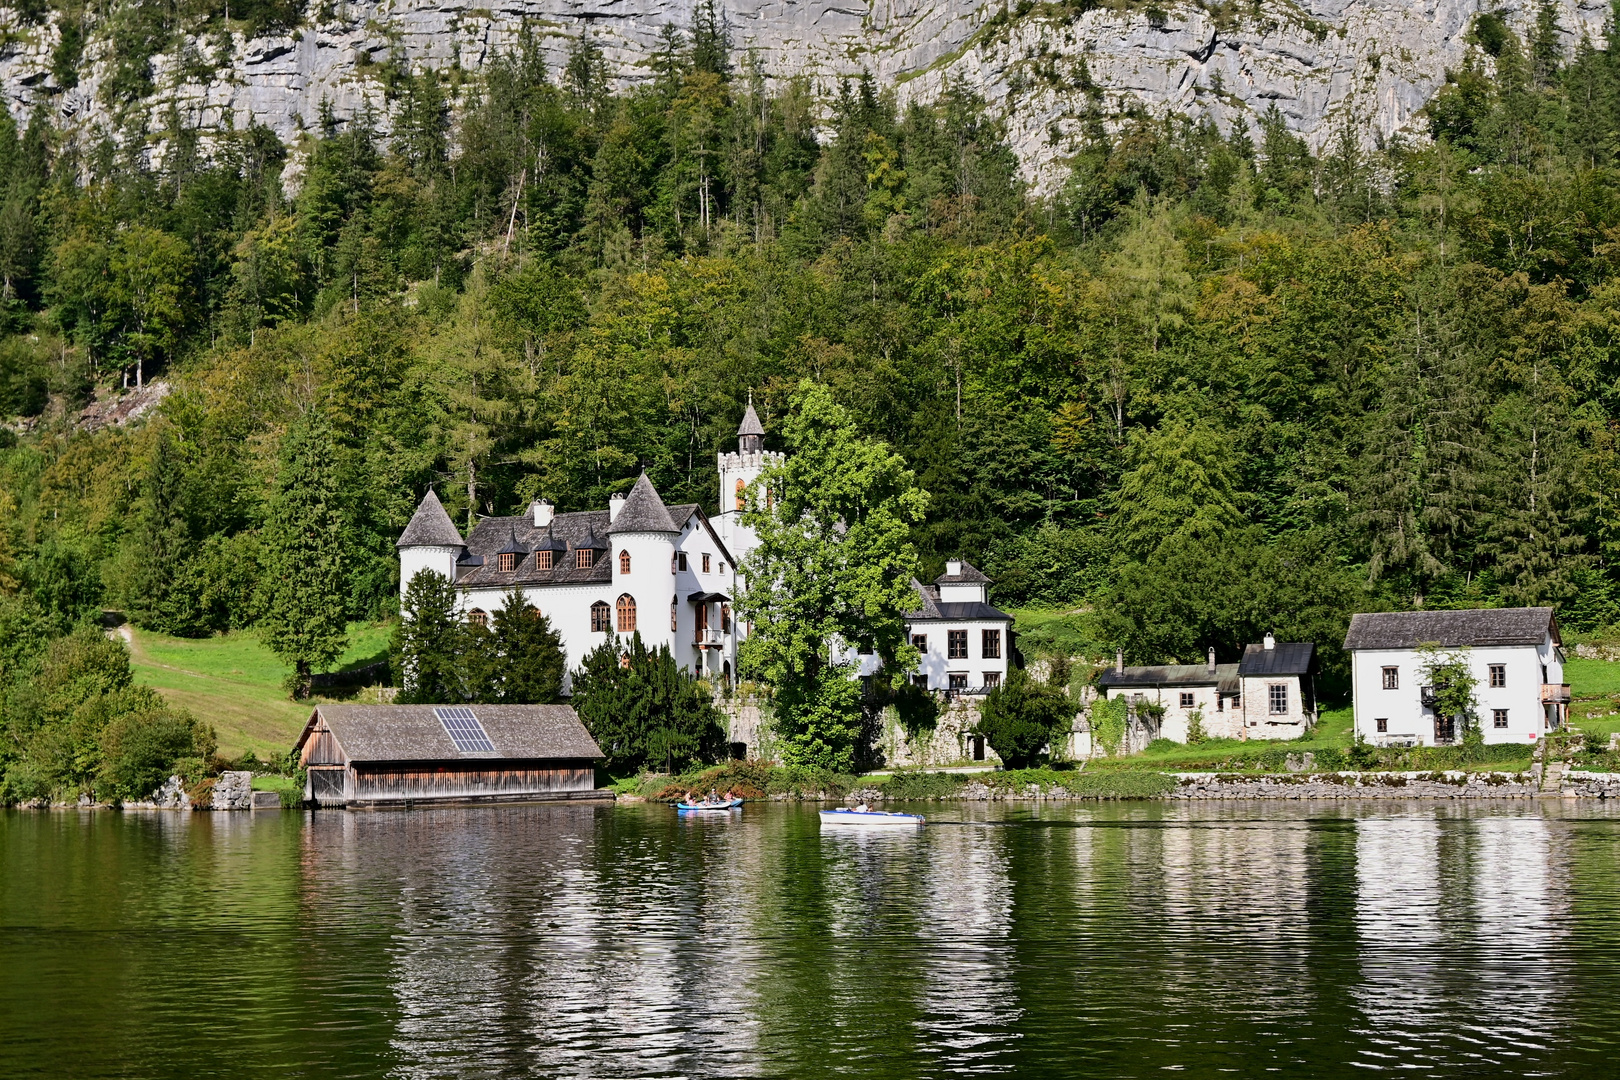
pixel 394 755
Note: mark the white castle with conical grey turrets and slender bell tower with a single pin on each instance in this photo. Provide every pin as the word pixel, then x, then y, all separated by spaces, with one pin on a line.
pixel 637 566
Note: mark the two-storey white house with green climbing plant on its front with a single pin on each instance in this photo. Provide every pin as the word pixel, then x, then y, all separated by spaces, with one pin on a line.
pixel 1514 653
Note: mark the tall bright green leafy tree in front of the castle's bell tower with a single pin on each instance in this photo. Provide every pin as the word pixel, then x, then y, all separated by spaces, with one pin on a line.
pixel 833 566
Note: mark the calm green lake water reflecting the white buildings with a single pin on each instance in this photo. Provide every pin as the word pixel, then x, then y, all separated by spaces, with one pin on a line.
pixel 621 942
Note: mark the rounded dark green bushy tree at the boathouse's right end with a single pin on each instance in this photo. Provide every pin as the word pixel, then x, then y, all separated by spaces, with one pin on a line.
pixel 642 710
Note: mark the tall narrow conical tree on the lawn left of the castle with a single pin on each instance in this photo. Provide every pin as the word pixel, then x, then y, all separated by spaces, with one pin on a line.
pixel 305 621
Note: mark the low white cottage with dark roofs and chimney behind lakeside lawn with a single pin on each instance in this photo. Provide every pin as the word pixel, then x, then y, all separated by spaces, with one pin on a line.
pixel 1271 694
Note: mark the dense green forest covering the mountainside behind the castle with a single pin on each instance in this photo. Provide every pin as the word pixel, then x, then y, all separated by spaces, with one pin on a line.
pixel 1214 386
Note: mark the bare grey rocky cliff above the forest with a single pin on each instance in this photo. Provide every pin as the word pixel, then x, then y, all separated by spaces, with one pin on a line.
pixel 1324 64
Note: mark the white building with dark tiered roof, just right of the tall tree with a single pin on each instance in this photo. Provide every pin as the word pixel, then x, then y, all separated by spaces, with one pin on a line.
pixel 963 642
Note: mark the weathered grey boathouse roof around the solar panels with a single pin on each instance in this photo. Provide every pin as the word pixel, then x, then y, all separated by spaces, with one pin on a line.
pixel 412 733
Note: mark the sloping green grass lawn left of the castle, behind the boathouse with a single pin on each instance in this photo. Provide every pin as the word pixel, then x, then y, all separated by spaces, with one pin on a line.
pixel 236 684
